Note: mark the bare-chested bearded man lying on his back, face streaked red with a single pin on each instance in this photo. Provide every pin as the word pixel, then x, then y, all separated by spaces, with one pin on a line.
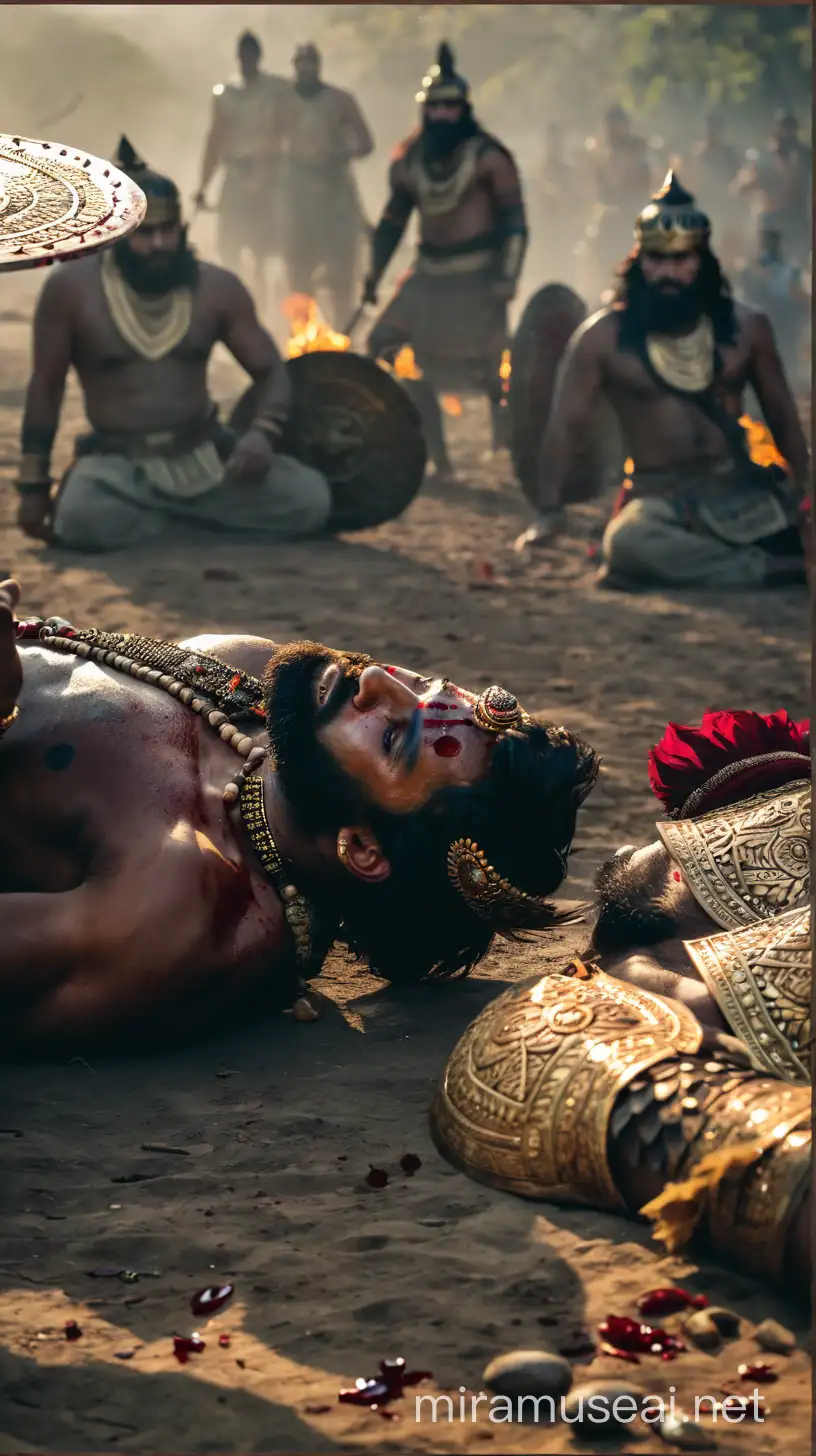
pixel 187 829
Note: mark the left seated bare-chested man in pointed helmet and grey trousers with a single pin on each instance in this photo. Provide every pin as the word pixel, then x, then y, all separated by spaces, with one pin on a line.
pixel 139 325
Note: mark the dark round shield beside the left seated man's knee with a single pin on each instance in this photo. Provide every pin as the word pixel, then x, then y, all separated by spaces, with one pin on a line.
pixel 358 427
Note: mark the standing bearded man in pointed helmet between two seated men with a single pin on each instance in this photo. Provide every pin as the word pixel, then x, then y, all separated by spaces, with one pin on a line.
pixel 452 309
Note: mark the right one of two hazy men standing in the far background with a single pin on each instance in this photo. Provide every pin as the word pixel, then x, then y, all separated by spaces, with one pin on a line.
pixel 323 133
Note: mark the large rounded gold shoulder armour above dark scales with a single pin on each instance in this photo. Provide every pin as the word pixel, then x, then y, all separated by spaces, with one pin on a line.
pixel 528 1093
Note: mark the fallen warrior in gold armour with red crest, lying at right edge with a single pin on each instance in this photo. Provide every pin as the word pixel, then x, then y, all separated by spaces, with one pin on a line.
pixel 670 1071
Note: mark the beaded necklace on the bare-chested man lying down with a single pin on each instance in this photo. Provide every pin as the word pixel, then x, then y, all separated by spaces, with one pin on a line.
pixel 189 676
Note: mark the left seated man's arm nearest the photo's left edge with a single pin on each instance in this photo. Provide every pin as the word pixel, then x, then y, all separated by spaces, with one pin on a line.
pixel 53 344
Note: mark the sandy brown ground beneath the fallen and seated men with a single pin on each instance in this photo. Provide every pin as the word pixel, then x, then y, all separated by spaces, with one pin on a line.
pixel 276 1128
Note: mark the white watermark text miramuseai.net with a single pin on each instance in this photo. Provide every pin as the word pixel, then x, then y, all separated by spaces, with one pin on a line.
pixel 597 1410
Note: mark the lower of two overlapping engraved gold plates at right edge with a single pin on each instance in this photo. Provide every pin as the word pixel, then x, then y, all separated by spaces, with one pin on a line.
pixel 761 979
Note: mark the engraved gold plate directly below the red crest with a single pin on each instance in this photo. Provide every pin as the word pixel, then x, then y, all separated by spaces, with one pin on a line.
pixel 750 861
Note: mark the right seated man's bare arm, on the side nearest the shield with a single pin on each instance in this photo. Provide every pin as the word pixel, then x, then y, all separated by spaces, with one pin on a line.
pixel 581 379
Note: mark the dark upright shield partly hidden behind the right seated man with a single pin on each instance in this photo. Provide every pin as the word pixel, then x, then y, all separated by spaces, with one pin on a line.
pixel 547 325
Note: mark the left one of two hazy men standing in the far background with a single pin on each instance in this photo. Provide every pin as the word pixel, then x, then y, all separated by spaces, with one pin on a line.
pixel 246 141
